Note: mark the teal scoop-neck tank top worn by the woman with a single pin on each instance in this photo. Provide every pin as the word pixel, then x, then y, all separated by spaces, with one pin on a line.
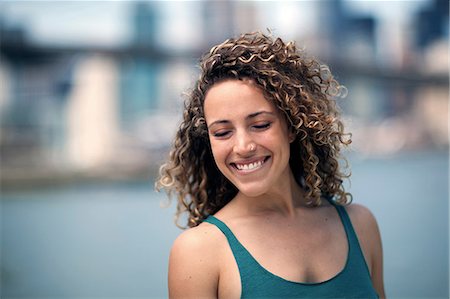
pixel 352 282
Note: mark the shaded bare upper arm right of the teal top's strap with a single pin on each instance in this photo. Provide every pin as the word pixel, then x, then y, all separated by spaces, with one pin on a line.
pixel 368 233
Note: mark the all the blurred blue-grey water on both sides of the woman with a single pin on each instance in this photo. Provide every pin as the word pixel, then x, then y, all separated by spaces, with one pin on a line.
pixel 113 241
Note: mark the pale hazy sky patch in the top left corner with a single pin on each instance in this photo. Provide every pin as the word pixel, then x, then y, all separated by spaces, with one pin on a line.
pixel 63 22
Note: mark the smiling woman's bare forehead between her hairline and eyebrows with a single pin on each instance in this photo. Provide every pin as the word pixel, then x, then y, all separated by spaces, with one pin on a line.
pixel 233 98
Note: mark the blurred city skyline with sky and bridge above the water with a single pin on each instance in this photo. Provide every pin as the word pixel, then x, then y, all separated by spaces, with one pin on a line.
pixel 72 72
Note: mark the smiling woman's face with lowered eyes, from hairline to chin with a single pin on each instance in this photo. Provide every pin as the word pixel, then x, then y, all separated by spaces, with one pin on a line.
pixel 249 137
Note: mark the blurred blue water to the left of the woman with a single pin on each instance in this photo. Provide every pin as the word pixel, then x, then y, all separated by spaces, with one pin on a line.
pixel 98 241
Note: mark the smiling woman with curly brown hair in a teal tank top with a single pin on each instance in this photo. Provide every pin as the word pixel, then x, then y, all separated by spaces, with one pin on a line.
pixel 255 166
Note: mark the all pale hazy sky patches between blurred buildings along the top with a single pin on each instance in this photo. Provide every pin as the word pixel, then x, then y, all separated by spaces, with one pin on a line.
pixel 107 23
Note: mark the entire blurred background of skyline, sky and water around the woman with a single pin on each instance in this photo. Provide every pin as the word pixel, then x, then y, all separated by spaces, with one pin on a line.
pixel 91 95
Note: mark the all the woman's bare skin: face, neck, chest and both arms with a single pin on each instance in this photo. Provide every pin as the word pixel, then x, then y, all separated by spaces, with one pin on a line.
pixel 254 133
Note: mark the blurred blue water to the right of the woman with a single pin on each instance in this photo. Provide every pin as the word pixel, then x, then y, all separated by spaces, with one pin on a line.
pixel 409 197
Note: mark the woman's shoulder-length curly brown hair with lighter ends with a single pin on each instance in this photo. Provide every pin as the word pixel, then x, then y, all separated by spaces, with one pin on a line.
pixel 301 87
